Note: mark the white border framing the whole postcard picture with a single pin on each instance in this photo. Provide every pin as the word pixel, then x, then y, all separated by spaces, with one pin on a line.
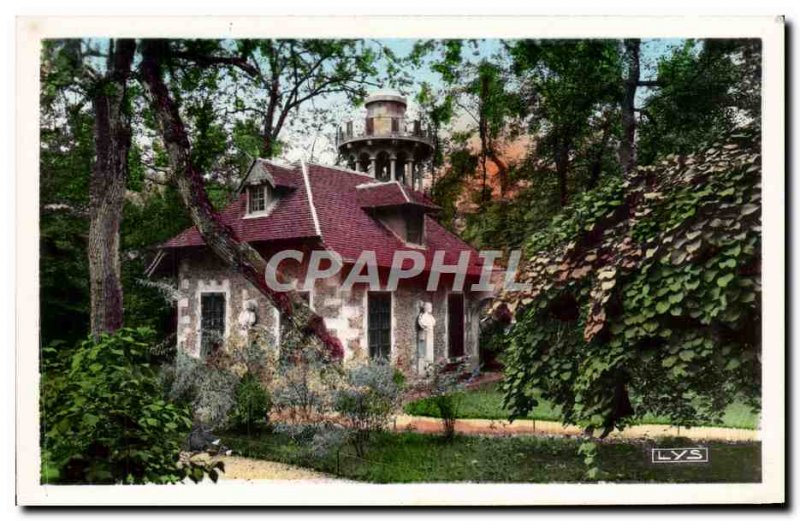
pixel 29 30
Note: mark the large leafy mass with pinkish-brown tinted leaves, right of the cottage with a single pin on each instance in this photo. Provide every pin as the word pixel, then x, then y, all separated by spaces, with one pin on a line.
pixel 645 296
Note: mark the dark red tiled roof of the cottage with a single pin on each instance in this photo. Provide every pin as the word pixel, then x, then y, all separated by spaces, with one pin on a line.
pixel 343 224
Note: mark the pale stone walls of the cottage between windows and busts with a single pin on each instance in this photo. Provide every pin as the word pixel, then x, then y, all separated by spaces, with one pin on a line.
pixel 344 311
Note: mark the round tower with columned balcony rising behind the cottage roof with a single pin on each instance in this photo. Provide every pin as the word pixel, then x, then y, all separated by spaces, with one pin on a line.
pixel 388 147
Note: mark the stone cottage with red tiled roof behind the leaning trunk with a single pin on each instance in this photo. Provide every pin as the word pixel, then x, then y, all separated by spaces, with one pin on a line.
pixel 310 207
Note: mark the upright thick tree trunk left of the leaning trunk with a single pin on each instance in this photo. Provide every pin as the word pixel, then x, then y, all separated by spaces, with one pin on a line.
pixel 112 138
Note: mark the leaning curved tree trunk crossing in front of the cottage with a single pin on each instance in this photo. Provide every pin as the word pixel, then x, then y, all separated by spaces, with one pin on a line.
pixel 222 240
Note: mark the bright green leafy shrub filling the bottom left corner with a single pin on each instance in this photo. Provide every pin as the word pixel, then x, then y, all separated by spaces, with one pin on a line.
pixel 104 419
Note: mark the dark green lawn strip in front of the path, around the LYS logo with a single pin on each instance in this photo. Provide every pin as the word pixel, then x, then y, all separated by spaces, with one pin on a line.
pixel 414 458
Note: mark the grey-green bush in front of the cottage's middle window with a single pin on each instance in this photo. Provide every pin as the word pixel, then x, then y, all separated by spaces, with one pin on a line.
pixel 366 402
